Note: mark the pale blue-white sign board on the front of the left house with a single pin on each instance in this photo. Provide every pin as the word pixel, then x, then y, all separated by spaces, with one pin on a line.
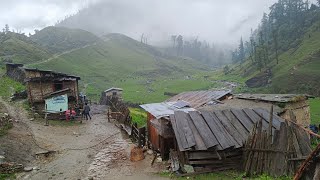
pixel 57 103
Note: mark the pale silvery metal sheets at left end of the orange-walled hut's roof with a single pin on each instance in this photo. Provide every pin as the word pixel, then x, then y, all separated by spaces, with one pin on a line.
pixel 164 109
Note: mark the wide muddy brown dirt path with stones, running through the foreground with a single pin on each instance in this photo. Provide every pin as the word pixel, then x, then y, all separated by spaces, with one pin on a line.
pixel 95 149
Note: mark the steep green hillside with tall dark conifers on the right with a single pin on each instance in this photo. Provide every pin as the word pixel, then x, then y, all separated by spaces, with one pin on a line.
pixel 298 67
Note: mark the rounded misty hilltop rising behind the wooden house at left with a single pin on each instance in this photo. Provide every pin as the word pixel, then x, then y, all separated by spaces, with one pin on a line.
pixel 60 39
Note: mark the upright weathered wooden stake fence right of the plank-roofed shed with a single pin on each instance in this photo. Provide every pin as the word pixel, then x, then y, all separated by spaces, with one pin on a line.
pixel 277 154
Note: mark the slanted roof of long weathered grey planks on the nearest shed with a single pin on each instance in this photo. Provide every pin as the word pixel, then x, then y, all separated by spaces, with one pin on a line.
pixel 220 129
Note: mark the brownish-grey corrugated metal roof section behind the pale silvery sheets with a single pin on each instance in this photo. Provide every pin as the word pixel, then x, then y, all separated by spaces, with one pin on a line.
pixel 199 98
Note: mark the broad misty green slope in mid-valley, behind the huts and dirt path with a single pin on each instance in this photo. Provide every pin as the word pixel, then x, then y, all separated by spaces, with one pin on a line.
pixel 123 62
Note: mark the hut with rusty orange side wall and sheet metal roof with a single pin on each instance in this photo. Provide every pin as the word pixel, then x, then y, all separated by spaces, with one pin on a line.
pixel 160 134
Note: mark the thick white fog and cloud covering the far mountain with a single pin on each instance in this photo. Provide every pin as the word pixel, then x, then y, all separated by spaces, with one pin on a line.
pixel 215 21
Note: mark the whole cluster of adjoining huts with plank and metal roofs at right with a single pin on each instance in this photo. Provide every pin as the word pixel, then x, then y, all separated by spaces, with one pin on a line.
pixel 207 129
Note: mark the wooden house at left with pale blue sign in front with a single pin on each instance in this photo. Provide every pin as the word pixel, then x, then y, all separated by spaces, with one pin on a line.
pixel 47 90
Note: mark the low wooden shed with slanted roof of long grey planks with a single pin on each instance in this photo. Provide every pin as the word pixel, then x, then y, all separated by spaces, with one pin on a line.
pixel 214 140
